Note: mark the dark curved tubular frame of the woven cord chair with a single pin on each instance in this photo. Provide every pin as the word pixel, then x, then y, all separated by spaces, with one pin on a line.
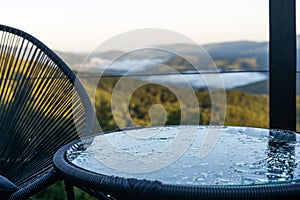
pixel 51 176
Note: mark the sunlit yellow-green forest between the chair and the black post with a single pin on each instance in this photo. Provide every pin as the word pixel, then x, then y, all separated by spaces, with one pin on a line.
pixel 242 109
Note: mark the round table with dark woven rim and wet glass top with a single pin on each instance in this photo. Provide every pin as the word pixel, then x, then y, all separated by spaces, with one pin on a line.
pixel 181 162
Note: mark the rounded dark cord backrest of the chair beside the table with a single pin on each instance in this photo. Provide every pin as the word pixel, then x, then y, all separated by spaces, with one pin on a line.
pixel 42 106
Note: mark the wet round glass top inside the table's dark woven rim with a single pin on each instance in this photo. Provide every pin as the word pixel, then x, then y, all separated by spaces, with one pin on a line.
pixel 193 155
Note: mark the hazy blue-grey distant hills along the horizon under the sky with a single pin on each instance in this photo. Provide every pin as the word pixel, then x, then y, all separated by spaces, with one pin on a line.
pixel 236 55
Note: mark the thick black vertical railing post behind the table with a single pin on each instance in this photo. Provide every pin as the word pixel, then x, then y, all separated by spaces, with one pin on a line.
pixel 282 64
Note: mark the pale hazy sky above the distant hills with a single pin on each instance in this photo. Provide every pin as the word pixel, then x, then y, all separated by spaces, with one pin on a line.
pixel 83 25
